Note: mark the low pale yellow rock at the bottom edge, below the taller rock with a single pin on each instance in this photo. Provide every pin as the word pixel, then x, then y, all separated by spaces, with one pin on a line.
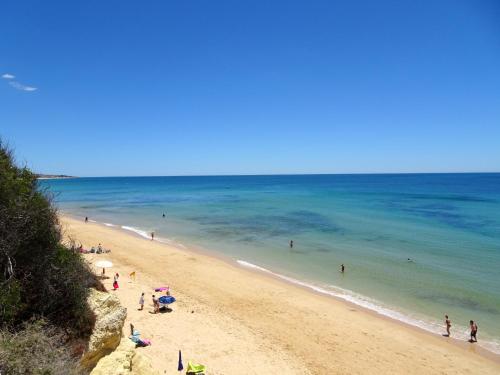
pixel 125 360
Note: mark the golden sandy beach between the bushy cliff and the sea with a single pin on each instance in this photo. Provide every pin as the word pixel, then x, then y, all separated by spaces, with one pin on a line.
pixel 237 321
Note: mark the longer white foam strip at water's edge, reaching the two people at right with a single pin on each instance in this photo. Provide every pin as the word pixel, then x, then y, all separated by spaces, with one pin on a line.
pixel 435 327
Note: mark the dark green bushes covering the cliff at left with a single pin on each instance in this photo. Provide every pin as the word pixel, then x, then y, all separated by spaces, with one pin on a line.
pixel 39 278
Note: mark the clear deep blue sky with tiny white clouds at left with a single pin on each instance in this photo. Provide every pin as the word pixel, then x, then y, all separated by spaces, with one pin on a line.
pixel 176 87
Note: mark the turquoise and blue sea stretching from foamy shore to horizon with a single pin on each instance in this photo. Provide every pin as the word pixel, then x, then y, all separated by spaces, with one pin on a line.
pixel 448 224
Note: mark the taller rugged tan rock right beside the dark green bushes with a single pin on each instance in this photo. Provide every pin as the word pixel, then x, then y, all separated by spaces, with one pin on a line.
pixel 107 333
